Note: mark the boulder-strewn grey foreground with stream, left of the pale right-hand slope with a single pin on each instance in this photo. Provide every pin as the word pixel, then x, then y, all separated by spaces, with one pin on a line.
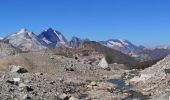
pixel 21 85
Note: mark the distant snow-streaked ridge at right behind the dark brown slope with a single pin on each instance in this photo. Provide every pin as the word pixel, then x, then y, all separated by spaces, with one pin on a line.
pixel 138 52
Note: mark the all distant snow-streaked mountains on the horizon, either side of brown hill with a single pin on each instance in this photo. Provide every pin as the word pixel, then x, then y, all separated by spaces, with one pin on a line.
pixel 50 38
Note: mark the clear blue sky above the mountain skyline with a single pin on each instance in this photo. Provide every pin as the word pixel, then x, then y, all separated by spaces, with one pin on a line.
pixel 143 22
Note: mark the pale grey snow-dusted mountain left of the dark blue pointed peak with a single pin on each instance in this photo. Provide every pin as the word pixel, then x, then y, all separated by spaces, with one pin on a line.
pixel 25 41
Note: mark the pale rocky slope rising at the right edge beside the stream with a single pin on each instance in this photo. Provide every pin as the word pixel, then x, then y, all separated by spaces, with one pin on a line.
pixel 155 80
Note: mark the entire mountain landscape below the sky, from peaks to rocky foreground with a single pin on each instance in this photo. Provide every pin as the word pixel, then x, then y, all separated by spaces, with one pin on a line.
pixel 50 67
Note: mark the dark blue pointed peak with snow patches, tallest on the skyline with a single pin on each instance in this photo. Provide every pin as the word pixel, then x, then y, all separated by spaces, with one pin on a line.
pixel 53 38
